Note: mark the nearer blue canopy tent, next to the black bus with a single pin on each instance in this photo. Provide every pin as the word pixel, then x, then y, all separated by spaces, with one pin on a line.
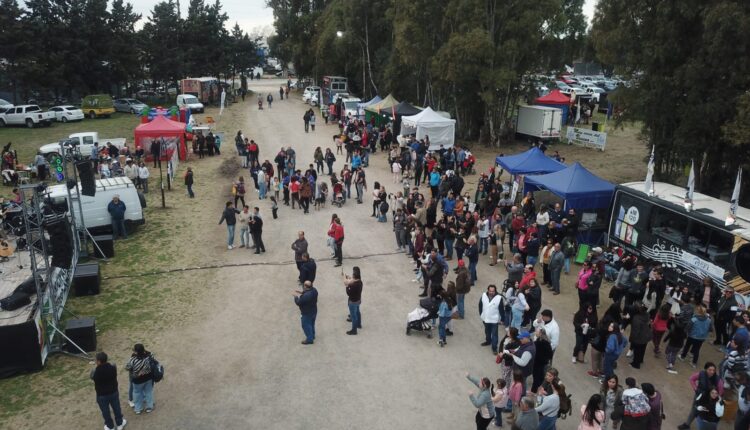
pixel 583 191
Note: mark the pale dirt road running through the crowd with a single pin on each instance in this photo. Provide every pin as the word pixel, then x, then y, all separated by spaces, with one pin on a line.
pixel 236 362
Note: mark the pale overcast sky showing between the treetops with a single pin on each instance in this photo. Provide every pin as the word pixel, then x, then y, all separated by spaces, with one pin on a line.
pixel 255 18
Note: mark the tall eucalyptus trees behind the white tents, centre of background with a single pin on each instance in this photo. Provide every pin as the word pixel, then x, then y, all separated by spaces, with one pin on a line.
pixel 468 57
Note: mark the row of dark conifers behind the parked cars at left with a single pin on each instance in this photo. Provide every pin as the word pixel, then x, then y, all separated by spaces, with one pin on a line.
pixel 64 47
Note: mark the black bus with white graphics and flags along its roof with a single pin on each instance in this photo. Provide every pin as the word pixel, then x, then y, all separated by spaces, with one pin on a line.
pixel 691 244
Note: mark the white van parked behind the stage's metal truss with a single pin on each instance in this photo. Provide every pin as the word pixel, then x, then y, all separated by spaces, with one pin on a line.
pixel 95 214
